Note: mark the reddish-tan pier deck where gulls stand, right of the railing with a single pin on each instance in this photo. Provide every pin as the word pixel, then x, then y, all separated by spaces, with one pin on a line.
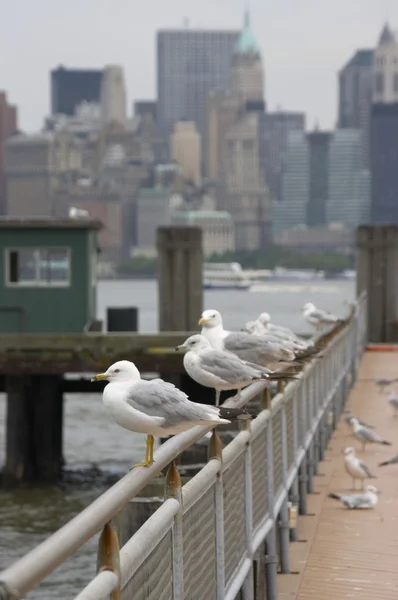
pixel 351 554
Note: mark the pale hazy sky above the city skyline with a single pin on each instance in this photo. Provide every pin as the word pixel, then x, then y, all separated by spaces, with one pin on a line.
pixel 304 43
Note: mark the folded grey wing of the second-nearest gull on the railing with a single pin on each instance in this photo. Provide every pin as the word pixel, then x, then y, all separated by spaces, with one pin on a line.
pixel 228 366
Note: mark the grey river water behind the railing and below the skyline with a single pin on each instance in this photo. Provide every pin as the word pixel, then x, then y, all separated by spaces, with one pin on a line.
pixel 98 452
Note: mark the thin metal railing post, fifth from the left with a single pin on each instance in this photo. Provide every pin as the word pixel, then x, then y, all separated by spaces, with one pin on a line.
pixel 271 558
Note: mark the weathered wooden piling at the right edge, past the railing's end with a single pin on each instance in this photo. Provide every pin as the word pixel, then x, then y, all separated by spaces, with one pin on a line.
pixel 377 274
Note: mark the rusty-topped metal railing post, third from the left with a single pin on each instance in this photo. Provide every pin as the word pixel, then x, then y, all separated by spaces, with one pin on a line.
pixel 215 452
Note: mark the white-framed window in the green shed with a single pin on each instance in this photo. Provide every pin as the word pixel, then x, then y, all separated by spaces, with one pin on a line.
pixel 38 267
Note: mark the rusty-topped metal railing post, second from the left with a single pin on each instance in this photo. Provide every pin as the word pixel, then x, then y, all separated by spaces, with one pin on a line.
pixel 173 489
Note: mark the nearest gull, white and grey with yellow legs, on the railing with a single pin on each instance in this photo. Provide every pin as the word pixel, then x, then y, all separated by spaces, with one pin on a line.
pixel 156 407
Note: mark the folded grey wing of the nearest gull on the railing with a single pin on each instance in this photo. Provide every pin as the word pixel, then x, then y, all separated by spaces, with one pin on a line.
pixel 158 398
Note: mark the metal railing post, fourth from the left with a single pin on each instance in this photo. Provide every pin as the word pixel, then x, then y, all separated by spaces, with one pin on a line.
pixel 248 585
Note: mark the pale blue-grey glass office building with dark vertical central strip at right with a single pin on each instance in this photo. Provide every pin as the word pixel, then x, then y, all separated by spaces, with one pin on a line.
pixel 324 182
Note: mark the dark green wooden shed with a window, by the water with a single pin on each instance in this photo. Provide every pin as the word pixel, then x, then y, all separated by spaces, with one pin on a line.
pixel 48 274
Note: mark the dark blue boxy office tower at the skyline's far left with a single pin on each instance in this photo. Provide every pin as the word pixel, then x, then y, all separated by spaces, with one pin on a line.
pixel 70 87
